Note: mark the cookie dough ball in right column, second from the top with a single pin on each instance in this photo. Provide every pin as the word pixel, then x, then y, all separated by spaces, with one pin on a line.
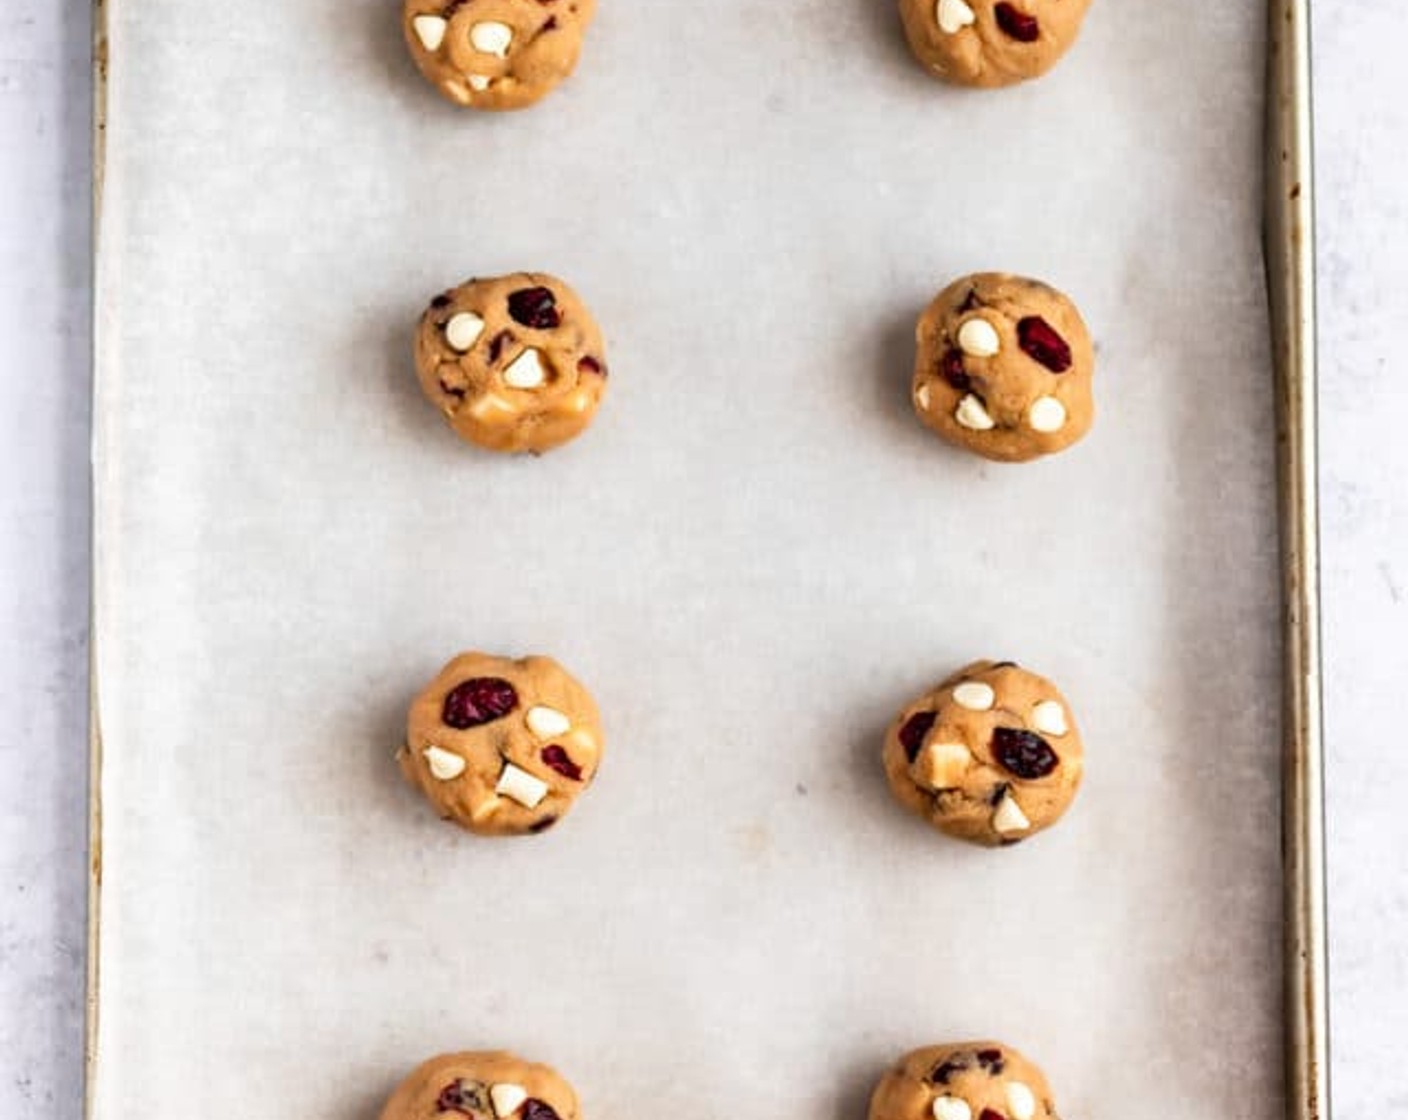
pixel 1005 368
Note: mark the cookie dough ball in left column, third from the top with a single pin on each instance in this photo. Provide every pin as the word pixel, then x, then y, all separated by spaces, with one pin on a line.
pixel 503 747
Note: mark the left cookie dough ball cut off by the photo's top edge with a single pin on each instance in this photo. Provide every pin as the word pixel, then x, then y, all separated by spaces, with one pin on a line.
pixel 496 54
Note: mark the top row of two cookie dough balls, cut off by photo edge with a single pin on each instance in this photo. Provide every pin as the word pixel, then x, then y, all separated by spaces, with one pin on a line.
pixel 509 54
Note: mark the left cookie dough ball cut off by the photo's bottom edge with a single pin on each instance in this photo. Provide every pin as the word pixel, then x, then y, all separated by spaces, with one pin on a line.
pixel 482 1087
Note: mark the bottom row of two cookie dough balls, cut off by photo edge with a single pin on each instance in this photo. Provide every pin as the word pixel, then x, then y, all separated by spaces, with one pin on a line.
pixel 965 1081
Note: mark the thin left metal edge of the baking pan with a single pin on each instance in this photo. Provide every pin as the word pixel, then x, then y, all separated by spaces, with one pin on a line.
pixel 101 67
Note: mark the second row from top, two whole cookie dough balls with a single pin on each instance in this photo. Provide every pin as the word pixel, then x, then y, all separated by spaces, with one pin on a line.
pixel 1005 366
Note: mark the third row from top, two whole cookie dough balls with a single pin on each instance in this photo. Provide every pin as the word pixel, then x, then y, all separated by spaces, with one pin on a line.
pixel 505 747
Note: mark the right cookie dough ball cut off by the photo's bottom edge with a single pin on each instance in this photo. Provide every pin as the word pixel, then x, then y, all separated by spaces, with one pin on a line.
pixel 968 1081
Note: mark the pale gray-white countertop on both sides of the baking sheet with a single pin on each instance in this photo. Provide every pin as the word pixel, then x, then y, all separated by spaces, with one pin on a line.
pixel 1362 129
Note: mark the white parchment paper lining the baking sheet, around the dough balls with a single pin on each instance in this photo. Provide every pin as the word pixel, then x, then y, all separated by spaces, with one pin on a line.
pixel 754 559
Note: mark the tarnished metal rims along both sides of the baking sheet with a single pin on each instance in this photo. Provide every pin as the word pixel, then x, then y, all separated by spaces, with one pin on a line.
pixel 1290 266
